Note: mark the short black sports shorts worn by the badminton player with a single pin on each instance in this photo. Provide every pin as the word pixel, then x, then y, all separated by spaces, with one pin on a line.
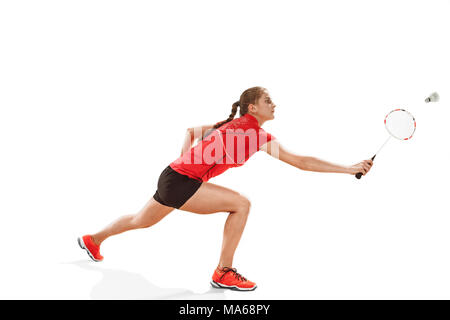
pixel 174 188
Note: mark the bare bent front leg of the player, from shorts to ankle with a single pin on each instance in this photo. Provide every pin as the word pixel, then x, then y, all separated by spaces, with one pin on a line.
pixel 211 198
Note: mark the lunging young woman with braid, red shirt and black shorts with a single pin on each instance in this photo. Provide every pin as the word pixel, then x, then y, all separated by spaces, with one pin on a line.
pixel 184 183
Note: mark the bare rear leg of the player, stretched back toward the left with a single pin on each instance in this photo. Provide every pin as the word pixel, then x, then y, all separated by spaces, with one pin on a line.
pixel 152 213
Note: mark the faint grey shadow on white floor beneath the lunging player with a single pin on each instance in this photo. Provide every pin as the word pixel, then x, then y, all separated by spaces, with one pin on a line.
pixel 124 285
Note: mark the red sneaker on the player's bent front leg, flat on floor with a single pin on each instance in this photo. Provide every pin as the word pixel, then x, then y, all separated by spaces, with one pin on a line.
pixel 228 278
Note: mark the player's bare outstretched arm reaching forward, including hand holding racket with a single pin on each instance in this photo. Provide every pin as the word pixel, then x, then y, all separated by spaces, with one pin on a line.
pixel 311 163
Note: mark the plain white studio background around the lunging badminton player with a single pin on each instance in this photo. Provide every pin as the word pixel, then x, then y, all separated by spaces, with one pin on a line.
pixel 95 97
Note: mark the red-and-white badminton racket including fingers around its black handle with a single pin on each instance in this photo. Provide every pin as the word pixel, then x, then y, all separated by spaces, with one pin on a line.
pixel 401 125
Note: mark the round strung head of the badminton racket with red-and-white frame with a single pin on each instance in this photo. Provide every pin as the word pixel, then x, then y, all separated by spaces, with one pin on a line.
pixel 400 124
